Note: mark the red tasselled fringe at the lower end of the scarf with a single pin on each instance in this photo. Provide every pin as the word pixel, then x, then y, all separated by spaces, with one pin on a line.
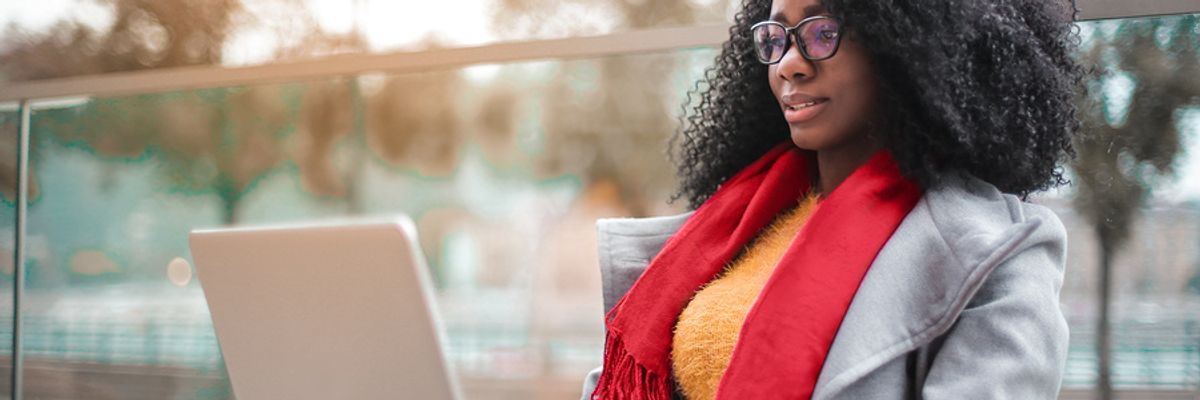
pixel 625 378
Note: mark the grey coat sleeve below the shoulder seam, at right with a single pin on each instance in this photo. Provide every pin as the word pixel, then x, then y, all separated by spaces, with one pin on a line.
pixel 1011 341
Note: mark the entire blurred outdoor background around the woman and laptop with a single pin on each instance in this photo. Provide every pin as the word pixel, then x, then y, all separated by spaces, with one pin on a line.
pixel 503 166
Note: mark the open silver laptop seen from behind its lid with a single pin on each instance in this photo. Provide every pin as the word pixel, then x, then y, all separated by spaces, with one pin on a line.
pixel 328 311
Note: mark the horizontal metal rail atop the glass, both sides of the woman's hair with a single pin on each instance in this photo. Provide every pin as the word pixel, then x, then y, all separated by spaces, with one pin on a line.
pixel 631 43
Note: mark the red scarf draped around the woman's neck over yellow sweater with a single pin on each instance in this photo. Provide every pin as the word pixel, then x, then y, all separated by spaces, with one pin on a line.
pixel 788 332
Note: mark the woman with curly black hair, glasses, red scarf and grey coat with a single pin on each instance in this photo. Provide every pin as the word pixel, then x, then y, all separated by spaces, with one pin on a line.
pixel 857 171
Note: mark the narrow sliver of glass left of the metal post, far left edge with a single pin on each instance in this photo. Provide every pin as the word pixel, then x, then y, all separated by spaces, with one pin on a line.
pixel 10 118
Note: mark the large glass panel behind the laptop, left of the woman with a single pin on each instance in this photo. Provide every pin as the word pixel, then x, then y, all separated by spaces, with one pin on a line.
pixel 503 168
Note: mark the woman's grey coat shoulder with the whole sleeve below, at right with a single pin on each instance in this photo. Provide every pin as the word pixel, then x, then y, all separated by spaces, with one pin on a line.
pixel 1016 253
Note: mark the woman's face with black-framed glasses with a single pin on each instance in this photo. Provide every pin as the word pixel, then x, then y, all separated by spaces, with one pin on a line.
pixel 827 104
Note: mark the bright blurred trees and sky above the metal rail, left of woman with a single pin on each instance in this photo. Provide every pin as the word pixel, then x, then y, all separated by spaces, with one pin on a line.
pixel 122 35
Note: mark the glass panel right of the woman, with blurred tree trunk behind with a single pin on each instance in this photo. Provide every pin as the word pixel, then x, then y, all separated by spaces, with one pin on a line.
pixel 1137 202
